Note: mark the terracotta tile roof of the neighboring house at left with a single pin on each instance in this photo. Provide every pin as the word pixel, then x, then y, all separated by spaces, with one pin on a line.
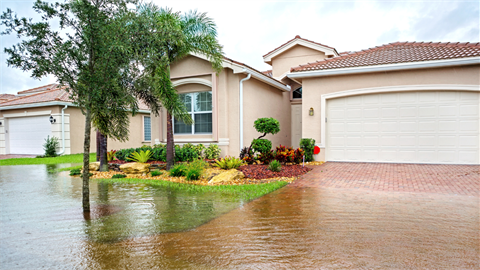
pixel 55 94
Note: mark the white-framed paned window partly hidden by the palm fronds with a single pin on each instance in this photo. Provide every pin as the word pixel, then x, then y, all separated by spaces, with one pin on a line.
pixel 199 105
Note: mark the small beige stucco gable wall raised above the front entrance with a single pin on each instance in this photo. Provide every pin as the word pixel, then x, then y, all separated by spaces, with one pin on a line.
pixel 298 55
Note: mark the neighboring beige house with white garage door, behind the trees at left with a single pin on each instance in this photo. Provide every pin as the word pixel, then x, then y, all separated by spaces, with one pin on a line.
pixel 30 116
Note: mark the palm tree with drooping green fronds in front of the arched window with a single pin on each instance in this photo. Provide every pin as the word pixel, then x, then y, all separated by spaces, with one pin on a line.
pixel 165 37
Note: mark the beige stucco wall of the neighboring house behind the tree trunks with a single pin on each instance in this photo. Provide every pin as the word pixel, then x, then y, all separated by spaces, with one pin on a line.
pixel 77 128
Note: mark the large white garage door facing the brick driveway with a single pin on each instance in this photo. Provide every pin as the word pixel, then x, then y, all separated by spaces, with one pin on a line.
pixel 405 127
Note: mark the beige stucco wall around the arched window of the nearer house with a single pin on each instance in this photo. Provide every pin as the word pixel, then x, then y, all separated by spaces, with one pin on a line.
pixel 260 100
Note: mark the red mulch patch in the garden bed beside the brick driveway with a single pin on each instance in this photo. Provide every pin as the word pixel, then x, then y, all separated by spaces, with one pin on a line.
pixel 262 171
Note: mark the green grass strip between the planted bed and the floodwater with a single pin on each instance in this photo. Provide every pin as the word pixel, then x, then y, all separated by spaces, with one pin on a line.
pixel 245 192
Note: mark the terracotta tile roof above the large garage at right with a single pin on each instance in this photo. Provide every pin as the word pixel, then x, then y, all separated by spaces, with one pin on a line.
pixel 393 53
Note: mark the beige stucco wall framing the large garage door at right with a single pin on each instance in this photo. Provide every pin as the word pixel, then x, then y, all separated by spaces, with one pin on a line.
pixel 313 88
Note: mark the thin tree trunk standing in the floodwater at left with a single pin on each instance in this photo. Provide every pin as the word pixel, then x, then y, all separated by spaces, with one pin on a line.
pixel 86 162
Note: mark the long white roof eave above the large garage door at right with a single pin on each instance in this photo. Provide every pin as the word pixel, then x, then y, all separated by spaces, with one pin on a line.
pixel 388 67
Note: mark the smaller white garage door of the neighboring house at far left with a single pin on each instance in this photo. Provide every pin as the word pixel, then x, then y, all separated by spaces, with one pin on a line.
pixel 26 135
